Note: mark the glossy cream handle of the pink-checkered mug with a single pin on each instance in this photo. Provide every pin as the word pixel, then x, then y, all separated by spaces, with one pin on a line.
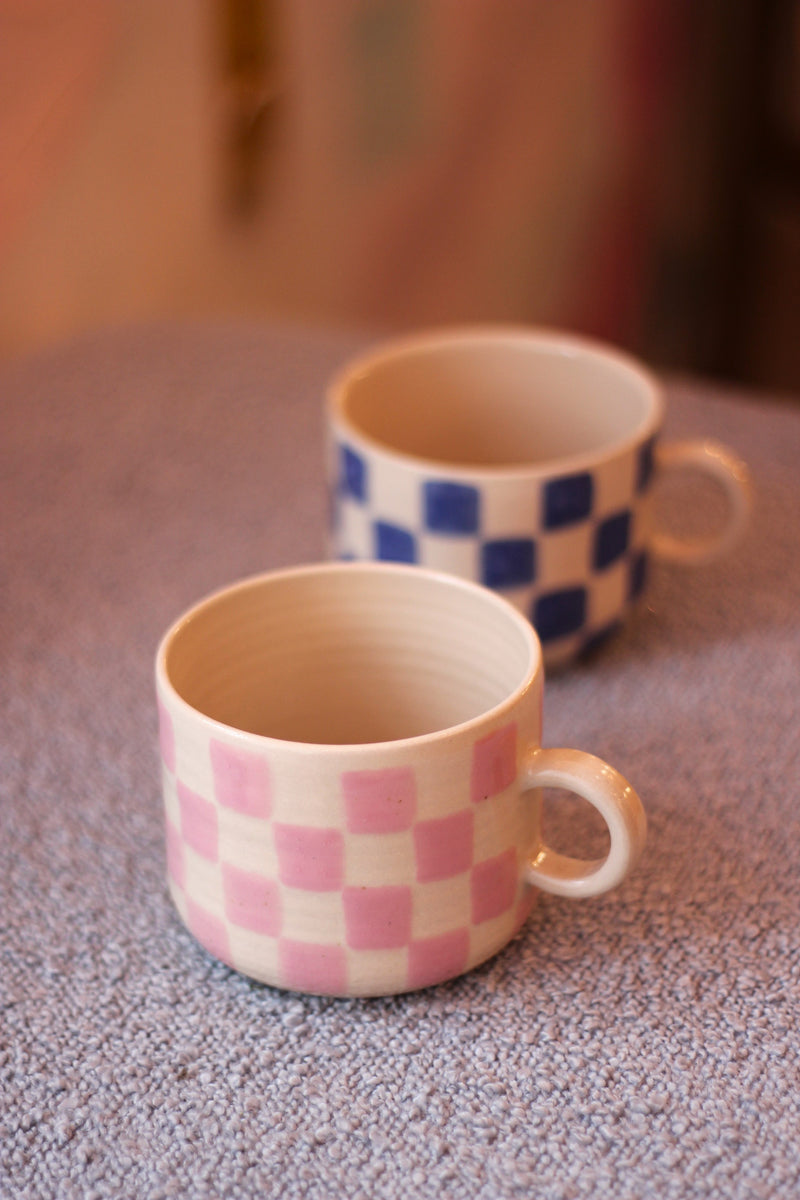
pixel 617 803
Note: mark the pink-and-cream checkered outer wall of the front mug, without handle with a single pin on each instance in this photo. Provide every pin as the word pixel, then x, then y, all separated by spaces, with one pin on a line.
pixel 386 885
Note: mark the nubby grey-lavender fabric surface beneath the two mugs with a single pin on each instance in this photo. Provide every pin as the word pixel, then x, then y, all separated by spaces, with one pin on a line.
pixel 640 1045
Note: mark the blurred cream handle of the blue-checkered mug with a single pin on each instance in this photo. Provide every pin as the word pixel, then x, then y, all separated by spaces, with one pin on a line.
pixel 721 465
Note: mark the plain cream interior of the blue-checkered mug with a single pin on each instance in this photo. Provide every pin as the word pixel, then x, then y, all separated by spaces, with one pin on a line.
pixel 497 399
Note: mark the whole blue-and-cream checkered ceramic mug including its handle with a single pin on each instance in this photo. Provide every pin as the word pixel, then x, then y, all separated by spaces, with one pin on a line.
pixel 522 460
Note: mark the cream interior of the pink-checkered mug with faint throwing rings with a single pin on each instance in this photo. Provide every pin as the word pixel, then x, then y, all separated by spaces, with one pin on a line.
pixel 348 655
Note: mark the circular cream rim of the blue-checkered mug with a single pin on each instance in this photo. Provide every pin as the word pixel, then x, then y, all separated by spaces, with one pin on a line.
pixel 538 338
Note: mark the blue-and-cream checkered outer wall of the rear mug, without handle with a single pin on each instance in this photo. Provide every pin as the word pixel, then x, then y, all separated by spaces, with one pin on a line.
pixel 570 553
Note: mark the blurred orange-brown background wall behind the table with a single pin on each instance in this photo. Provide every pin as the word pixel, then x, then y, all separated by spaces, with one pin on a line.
pixel 627 169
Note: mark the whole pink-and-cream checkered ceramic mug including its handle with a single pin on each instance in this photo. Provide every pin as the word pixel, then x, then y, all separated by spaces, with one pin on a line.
pixel 352 773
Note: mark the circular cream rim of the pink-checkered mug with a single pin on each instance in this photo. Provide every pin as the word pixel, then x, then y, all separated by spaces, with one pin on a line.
pixel 532 673
